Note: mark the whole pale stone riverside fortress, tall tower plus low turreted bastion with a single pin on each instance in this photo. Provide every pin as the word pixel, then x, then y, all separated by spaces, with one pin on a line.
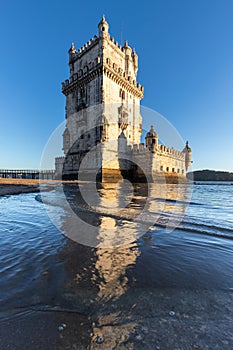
pixel 103 121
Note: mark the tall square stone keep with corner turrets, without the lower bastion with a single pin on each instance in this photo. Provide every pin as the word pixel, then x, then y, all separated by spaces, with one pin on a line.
pixel 102 102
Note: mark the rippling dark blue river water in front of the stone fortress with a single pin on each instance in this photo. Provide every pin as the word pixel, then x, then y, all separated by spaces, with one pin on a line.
pixel 169 286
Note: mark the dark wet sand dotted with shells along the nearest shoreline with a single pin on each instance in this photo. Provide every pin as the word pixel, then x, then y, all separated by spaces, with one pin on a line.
pixel 201 320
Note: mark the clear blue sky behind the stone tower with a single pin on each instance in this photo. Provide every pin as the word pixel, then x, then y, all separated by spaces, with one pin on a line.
pixel 185 50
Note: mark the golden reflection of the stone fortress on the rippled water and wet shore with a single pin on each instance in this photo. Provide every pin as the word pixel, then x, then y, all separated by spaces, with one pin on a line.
pixel 100 281
